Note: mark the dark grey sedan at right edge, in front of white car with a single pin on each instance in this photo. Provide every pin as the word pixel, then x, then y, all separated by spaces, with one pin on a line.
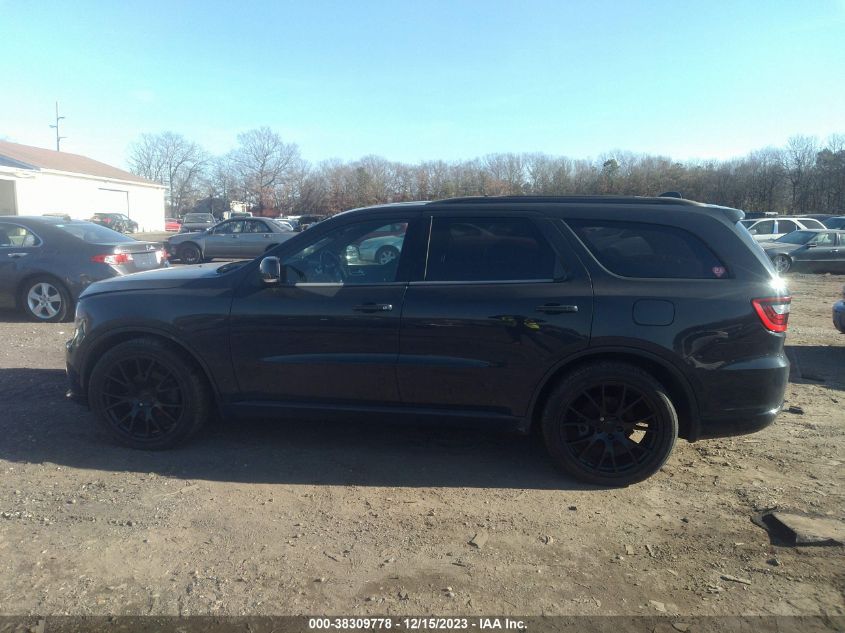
pixel 808 250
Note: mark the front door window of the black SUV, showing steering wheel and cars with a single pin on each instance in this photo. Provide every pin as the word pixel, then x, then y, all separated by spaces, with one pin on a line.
pixel 360 253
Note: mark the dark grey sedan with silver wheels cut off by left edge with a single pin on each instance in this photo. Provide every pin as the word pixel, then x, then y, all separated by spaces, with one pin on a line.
pixel 46 262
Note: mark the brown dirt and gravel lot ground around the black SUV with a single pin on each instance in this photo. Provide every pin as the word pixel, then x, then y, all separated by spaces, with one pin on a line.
pixel 329 518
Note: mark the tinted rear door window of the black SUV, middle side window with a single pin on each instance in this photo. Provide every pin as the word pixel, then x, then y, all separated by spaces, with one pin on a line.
pixel 489 249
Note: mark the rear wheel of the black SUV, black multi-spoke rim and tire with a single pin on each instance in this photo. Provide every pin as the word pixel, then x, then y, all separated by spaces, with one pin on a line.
pixel 610 424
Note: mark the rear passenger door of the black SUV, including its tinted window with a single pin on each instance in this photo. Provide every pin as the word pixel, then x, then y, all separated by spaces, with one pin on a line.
pixel 501 300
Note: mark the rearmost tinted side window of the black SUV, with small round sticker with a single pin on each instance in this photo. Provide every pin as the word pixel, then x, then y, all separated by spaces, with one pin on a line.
pixel 632 249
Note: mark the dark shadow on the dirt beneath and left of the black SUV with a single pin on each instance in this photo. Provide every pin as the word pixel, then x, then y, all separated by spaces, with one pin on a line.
pixel 39 425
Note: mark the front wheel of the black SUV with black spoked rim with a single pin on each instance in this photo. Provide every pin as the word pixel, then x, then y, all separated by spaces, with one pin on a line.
pixel 148 396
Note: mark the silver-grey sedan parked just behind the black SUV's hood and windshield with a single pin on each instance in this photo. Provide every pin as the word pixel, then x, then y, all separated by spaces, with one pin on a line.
pixel 238 238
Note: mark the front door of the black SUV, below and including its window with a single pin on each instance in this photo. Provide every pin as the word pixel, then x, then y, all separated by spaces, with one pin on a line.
pixel 330 333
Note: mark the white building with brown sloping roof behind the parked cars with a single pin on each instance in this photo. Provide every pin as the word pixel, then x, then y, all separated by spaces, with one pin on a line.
pixel 35 181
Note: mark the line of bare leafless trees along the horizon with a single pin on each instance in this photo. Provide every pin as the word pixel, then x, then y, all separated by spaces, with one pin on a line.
pixel 270 177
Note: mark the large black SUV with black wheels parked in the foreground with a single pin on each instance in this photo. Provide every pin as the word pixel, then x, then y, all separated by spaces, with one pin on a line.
pixel 610 325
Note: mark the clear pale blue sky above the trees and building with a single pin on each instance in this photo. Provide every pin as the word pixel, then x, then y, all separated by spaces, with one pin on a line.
pixel 428 79
